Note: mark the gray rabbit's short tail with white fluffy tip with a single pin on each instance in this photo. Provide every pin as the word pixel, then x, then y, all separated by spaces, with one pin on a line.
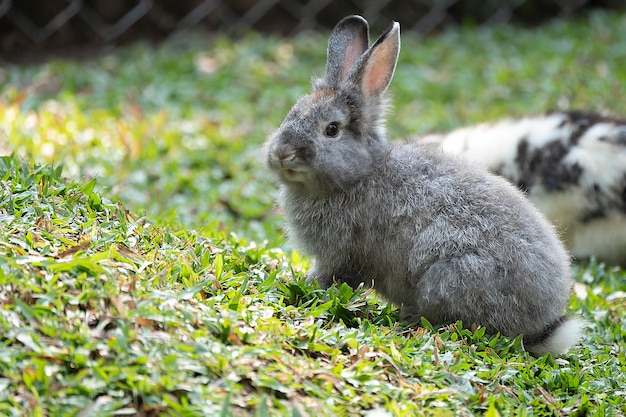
pixel 557 338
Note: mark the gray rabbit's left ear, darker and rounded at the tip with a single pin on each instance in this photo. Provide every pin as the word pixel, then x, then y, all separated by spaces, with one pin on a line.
pixel 348 41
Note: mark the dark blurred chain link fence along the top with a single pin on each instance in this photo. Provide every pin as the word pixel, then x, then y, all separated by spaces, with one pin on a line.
pixel 46 25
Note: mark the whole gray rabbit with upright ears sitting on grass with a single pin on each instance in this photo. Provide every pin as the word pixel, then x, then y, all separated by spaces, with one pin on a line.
pixel 433 234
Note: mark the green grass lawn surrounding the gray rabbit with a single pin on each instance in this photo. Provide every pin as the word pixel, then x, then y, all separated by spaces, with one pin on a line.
pixel 140 269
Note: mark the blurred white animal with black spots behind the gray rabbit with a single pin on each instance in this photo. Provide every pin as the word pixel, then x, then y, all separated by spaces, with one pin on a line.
pixel 571 164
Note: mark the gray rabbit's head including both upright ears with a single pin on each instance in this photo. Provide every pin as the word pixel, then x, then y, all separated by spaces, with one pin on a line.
pixel 335 135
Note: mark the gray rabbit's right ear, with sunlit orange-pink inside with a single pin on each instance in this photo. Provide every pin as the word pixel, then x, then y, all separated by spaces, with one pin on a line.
pixel 380 62
